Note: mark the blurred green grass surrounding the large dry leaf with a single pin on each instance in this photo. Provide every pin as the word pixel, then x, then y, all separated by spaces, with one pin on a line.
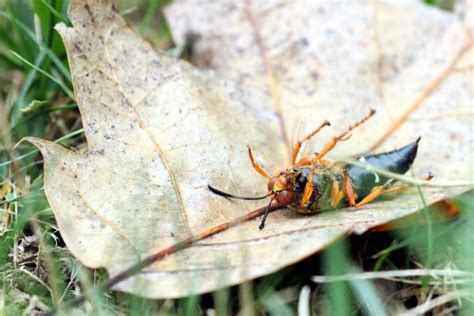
pixel 38 272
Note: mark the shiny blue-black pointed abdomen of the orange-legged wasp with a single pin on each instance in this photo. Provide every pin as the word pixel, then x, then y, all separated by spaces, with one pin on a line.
pixel 396 161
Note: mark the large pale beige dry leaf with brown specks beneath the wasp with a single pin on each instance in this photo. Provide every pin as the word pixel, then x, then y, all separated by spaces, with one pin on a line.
pixel 159 130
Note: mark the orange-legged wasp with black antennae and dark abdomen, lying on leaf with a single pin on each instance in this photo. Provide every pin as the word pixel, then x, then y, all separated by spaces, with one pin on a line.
pixel 313 184
